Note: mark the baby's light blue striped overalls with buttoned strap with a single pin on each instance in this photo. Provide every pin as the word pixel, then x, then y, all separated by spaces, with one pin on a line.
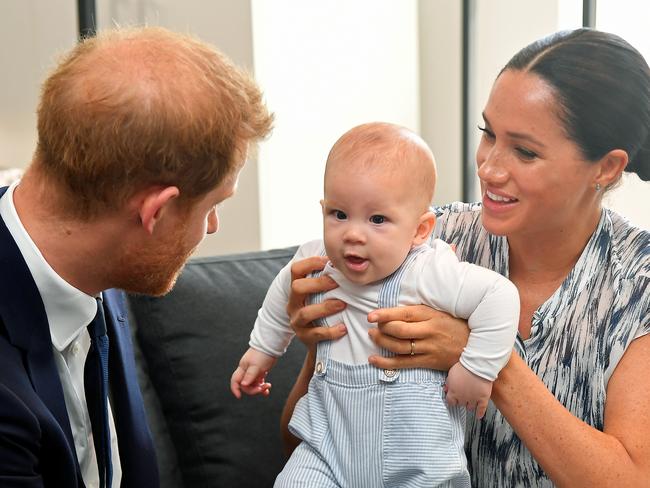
pixel 366 427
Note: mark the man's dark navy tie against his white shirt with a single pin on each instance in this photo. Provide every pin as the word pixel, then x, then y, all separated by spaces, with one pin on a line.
pixel 96 386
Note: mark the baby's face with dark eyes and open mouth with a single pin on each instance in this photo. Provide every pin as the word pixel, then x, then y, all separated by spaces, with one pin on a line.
pixel 370 220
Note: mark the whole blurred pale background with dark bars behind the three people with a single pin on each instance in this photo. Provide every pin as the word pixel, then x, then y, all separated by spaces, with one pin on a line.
pixel 324 67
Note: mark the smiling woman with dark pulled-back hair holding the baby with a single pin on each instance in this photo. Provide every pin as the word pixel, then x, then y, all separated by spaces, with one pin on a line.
pixel 566 116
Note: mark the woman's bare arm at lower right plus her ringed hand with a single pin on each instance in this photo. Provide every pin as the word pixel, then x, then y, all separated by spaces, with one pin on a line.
pixel 570 451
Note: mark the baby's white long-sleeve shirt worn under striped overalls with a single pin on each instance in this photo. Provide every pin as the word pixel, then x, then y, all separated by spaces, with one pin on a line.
pixel 434 277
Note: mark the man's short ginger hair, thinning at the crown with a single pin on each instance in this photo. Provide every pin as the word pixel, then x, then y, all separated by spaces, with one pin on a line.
pixel 132 108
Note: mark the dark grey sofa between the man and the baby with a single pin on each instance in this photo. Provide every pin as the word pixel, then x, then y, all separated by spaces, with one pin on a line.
pixel 187 345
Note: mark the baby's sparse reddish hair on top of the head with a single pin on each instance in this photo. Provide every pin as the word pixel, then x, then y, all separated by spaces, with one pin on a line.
pixel 389 147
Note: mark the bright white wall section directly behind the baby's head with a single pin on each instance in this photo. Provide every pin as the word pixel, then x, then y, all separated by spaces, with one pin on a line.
pixel 326 67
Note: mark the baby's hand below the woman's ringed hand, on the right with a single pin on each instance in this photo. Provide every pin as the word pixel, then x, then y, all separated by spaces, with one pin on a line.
pixel 467 389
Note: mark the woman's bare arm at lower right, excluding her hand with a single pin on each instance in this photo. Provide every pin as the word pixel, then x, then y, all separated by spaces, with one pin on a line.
pixel 571 452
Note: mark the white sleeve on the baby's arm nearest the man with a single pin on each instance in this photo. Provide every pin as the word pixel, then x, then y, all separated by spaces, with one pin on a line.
pixel 272 332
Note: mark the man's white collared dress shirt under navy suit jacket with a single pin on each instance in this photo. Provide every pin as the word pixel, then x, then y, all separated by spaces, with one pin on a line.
pixel 69 311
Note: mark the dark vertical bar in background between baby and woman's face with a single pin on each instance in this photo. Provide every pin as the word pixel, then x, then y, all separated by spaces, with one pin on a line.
pixel 469 181
